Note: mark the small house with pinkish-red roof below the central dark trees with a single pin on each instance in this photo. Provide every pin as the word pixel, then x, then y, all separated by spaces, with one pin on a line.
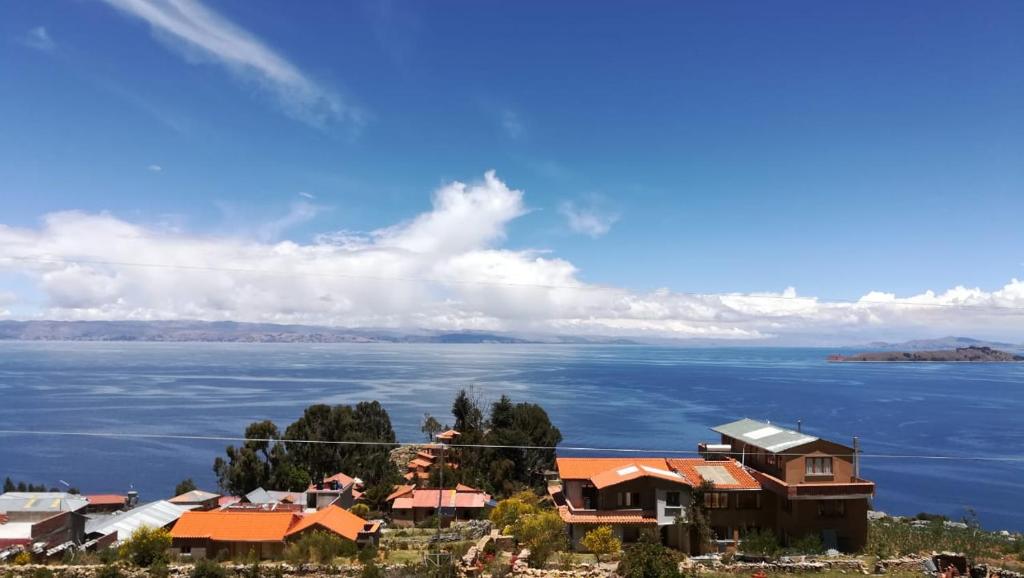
pixel 411 506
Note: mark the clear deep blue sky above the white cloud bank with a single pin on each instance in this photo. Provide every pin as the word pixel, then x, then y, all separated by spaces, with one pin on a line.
pixel 735 147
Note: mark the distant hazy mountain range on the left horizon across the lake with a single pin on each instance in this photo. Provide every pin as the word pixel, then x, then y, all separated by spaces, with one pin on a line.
pixel 227 332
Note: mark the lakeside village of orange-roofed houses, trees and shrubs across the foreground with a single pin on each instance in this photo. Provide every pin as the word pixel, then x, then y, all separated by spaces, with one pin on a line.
pixel 760 497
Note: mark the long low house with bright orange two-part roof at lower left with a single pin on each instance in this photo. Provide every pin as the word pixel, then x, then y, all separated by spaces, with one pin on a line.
pixel 202 534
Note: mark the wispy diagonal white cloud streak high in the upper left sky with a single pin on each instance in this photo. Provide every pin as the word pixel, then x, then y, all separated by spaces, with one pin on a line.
pixel 205 35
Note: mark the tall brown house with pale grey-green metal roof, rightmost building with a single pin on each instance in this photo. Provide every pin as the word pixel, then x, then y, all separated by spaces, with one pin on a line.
pixel 812 486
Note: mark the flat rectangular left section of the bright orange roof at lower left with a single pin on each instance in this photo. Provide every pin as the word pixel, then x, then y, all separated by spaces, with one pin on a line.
pixel 235 526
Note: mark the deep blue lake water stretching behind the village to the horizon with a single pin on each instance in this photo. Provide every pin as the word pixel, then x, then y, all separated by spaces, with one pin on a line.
pixel 615 396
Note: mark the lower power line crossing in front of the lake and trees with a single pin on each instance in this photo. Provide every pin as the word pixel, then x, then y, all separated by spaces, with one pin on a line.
pixel 117 435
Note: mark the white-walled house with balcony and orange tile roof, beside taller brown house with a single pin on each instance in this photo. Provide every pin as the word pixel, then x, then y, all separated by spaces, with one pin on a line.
pixel 633 496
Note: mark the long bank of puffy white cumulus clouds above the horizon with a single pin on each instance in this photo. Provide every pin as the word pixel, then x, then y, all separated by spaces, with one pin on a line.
pixel 445 269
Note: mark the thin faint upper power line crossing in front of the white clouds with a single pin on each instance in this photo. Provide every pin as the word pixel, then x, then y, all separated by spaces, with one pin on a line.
pixel 471 282
